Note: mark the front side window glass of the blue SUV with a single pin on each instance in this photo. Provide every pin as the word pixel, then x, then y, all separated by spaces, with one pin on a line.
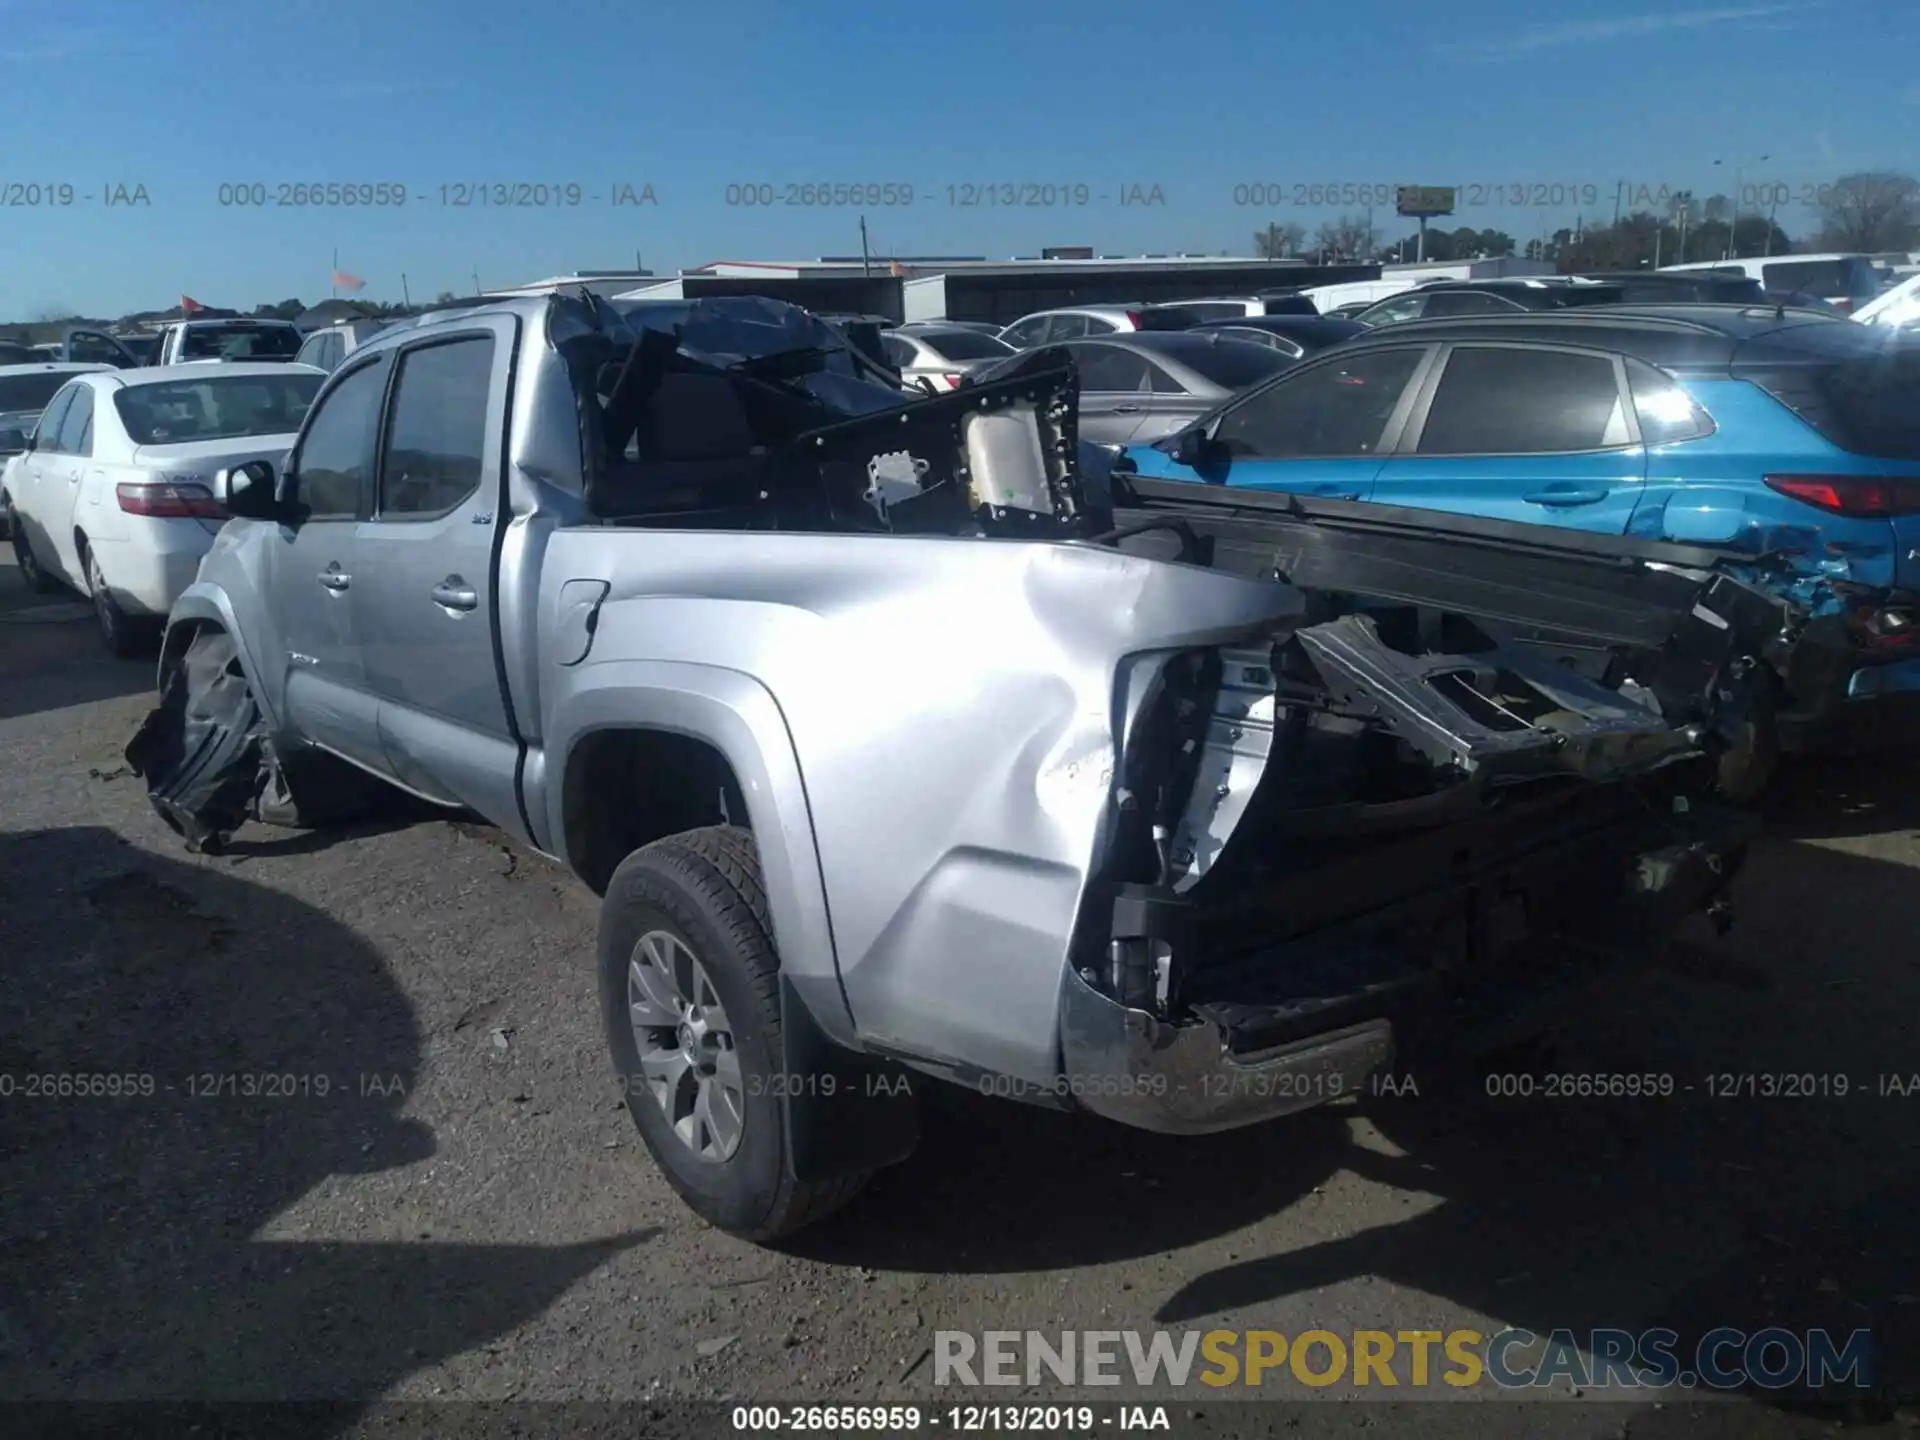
pixel 1332 410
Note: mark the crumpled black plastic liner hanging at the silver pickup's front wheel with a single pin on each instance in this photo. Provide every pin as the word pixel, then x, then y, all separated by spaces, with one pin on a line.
pixel 201 752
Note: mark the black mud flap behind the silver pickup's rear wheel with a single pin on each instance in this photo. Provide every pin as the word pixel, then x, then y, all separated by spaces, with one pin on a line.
pixel 846 1115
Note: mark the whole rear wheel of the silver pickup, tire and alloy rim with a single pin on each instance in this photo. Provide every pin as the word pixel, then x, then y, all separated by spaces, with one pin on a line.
pixel 690 994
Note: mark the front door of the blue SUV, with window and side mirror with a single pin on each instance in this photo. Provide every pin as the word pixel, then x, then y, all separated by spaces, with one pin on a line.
pixel 1316 431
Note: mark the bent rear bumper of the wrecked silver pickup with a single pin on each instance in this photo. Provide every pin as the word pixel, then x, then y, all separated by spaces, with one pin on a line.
pixel 1314 1020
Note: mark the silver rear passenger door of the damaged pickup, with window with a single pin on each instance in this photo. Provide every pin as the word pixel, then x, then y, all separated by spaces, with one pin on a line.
pixel 423 587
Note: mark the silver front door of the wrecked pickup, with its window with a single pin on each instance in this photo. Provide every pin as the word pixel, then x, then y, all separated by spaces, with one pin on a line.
pixel 316 569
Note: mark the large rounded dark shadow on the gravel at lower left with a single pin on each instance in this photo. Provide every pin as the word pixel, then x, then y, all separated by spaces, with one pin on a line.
pixel 130 1255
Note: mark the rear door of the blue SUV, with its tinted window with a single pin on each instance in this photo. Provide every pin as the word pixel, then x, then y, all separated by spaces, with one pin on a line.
pixel 1524 433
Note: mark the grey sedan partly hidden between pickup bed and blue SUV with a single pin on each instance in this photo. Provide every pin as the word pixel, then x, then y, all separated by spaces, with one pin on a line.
pixel 1153 383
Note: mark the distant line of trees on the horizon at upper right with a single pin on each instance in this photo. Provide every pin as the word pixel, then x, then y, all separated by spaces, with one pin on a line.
pixel 1869 212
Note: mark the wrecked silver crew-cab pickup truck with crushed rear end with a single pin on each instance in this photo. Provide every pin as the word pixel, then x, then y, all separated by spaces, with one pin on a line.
pixel 896 754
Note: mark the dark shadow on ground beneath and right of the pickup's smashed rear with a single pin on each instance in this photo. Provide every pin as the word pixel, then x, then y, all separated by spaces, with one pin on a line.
pixel 1754 1195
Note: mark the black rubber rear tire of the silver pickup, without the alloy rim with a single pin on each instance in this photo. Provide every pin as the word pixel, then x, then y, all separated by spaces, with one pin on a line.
pixel 704 888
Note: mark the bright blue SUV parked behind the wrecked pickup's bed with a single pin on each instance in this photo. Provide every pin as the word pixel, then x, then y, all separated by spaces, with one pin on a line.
pixel 1787 443
